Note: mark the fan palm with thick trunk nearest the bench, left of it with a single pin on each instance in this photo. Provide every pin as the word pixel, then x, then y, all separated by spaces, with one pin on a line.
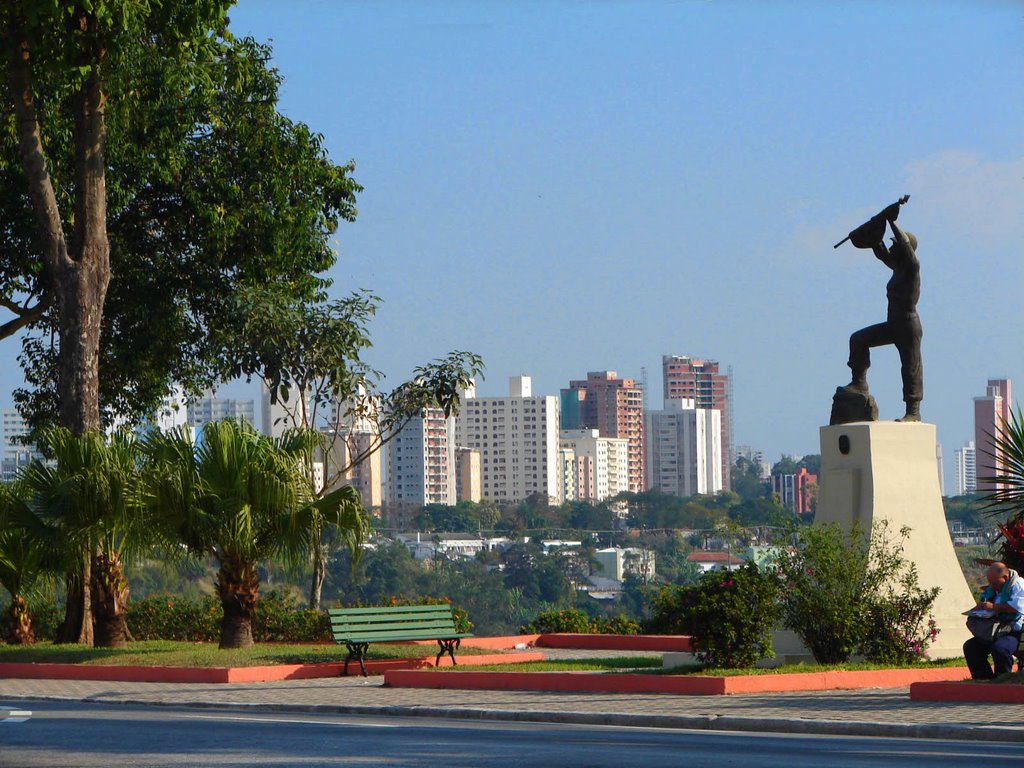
pixel 241 498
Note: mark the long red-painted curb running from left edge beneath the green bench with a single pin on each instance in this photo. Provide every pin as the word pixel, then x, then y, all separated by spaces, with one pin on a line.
pixel 240 674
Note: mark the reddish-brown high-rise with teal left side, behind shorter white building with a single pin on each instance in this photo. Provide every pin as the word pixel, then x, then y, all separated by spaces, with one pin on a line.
pixel 615 408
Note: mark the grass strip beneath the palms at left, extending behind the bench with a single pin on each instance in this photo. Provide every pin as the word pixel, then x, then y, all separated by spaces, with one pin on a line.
pixel 174 654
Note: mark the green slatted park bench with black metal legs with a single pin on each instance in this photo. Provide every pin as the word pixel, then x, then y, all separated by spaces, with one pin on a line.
pixel 357 628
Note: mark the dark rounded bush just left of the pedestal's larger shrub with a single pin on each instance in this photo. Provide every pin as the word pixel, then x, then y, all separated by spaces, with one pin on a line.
pixel 731 616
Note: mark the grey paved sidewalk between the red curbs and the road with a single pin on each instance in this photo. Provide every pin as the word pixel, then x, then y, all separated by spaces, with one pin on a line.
pixel 875 713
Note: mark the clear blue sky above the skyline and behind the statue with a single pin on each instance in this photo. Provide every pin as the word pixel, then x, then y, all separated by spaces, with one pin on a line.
pixel 571 187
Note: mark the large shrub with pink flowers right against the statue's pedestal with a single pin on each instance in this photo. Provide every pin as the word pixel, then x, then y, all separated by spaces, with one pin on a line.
pixel 850 591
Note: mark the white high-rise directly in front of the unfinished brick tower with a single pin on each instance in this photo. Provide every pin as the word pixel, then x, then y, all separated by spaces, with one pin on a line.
pixel 685 451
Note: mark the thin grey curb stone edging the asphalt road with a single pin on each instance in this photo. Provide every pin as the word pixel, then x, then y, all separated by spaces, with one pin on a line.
pixel 682 722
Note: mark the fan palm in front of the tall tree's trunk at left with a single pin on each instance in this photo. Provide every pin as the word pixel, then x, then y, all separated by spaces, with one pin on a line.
pixel 90 501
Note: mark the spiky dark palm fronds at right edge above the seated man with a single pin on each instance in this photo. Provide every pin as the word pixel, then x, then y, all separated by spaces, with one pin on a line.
pixel 1007 502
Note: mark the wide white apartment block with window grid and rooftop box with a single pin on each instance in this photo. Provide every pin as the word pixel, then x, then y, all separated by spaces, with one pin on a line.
pixel 518 438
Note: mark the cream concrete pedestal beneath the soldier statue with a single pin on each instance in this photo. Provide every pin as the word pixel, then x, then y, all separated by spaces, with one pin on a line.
pixel 885 471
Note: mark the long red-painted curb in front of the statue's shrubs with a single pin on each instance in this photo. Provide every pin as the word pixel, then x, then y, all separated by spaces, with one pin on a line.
pixel 692 686
